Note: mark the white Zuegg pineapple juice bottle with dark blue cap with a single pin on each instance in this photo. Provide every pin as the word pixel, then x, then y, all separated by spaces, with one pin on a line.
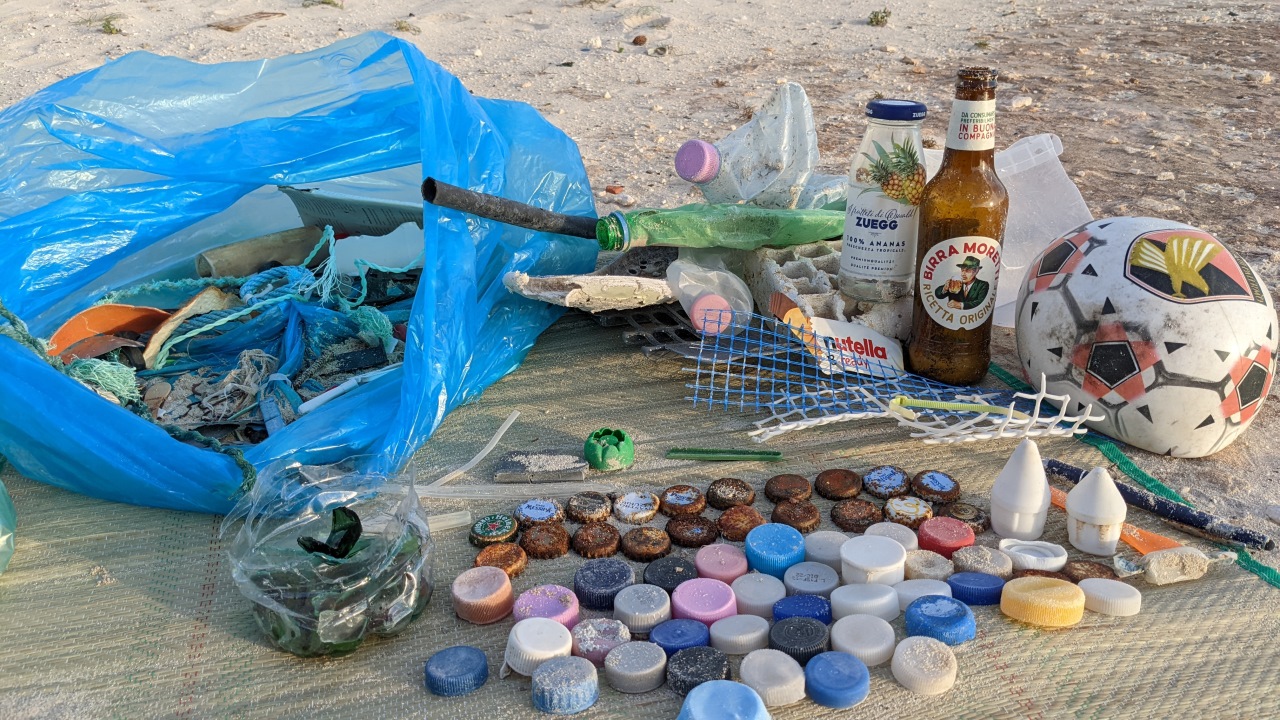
pixel 886 183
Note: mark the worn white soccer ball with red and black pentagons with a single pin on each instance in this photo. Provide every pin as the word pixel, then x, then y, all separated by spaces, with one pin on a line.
pixel 1155 323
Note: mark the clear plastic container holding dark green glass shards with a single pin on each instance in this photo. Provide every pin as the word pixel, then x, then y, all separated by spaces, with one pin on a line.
pixel 327 601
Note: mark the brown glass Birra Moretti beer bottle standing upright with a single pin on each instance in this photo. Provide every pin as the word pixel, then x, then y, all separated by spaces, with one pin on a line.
pixel 958 250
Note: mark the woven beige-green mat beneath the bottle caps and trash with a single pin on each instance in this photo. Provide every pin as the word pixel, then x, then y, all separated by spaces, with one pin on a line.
pixel 118 612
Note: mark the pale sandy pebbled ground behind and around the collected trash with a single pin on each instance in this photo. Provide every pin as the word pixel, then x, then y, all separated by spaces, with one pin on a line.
pixel 1167 108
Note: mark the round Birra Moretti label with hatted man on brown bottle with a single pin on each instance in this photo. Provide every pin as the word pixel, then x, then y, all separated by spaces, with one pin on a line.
pixel 958 282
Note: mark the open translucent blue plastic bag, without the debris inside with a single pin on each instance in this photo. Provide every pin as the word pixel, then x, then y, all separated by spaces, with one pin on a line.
pixel 130 171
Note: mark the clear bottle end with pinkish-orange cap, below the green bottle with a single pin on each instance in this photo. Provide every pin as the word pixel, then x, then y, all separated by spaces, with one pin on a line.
pixel 712 295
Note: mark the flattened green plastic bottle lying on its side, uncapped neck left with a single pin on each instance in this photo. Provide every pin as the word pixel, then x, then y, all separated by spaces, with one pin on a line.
pixel 739 227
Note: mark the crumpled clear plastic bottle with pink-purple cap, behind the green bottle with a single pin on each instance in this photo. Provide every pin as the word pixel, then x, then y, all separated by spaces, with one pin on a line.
pixel 767 162
